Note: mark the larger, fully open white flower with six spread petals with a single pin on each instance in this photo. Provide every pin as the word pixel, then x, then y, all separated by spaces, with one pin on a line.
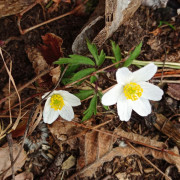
pixel 132 92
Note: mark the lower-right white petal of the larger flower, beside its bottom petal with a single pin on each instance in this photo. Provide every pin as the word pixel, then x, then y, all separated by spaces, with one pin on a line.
pixel 141 106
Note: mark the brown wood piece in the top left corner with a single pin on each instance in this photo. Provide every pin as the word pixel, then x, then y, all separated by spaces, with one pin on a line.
pixel 11 7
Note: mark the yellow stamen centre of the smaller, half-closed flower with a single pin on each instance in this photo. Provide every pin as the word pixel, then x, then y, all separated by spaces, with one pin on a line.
pixel 57 102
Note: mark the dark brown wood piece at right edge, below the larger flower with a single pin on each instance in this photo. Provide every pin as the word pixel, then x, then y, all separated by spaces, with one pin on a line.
pixel 168 128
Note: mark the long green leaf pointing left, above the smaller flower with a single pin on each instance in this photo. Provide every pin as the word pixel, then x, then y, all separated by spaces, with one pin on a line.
pixel 75 59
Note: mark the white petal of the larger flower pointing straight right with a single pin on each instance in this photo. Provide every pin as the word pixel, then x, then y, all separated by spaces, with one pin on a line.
pixel 151 91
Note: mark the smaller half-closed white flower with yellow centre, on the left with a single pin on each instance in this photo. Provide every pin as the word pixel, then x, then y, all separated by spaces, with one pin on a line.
pixel 59 103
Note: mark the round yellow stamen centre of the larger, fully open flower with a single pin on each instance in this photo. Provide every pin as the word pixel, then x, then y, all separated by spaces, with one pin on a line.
pixel 132 91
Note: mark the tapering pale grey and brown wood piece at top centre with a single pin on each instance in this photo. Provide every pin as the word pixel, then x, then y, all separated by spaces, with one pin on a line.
pixel 116 13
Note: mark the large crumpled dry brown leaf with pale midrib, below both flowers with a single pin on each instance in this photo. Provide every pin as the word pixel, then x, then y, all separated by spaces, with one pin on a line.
pixel 97 147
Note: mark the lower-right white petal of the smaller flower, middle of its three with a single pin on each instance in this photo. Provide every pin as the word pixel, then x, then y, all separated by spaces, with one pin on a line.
pixel 67 112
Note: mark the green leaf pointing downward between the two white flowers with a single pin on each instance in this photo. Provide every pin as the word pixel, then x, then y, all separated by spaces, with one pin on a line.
pixel 92 109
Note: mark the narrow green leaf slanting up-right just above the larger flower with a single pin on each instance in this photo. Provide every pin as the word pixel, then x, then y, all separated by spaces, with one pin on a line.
pixel 133 55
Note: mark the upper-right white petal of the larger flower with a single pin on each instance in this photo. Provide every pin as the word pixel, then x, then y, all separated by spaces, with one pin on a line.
pixel 145 73
